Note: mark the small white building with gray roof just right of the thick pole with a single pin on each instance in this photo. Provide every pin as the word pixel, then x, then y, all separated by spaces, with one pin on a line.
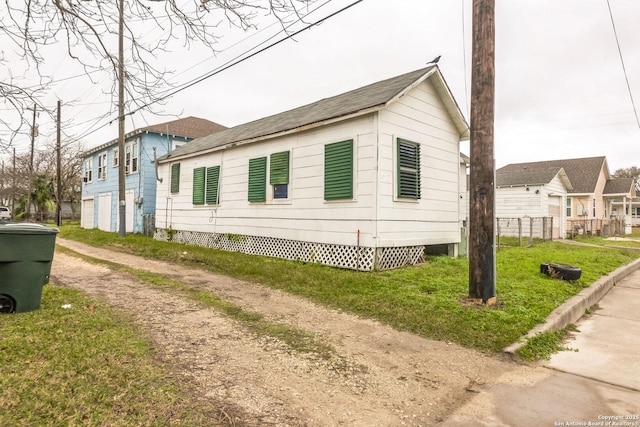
pixel 534 192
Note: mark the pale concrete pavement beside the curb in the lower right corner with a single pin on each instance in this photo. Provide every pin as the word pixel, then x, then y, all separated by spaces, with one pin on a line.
pixel 598 377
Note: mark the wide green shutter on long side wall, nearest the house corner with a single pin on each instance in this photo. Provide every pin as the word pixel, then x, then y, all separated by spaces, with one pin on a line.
pixel 338 170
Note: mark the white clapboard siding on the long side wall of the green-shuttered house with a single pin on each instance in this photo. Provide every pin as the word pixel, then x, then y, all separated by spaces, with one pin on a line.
pixel 303 215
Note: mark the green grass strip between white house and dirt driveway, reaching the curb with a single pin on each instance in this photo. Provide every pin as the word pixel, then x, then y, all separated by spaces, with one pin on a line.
pixel 428 300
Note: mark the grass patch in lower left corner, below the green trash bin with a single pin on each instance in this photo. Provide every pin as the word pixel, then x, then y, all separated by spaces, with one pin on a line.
pixel 86 366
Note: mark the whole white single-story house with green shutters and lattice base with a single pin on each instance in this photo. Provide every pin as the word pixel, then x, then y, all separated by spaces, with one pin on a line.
pixel 363 180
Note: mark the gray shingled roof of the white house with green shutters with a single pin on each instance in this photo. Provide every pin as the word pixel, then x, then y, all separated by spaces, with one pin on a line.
pixel 375 95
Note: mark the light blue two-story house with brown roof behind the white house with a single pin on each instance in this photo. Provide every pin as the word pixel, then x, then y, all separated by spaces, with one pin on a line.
pixel 99 208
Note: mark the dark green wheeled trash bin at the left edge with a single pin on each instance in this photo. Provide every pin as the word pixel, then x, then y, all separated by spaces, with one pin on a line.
pixel 26 253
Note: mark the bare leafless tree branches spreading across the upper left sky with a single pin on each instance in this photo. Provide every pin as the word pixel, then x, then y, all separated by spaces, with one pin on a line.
pixel 89 30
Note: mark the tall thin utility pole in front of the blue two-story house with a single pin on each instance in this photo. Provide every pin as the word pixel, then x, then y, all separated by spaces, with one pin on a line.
pixel 122 208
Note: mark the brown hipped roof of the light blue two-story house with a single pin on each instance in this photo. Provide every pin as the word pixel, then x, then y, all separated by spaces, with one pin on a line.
pixel 189 127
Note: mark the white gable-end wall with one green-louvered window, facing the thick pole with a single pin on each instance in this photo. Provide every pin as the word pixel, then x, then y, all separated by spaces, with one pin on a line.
pixel 434 218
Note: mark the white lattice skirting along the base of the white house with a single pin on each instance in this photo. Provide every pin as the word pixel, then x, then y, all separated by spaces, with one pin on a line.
pixel 351 257
